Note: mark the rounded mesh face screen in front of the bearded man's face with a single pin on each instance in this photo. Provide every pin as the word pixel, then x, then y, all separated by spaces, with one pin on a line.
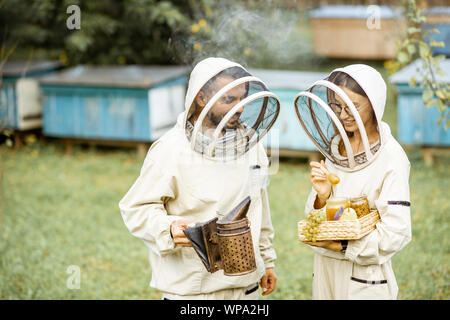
pixel 233 120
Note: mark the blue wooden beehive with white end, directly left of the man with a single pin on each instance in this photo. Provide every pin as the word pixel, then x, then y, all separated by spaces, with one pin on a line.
pixel 114 103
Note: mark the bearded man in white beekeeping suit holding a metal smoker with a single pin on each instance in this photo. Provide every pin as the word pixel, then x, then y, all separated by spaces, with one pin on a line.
pixel 203 167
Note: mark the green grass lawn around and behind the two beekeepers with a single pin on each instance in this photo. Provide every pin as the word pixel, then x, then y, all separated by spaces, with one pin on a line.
pixel 61 210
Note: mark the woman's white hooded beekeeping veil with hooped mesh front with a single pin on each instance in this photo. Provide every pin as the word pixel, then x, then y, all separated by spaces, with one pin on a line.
pixel 323 126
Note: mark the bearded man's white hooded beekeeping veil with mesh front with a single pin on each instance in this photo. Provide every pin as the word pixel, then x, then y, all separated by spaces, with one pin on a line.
pixel 231 114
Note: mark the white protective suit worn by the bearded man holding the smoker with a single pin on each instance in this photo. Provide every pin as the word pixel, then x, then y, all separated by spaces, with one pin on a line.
pixel 177 182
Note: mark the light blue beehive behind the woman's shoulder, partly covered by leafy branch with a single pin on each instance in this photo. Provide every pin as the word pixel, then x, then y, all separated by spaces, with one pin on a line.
pixel 417 124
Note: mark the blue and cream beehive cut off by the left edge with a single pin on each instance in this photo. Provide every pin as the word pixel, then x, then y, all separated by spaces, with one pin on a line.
pixel 20 102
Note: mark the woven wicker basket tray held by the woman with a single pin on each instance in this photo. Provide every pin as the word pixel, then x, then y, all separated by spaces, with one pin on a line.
pixel 343 230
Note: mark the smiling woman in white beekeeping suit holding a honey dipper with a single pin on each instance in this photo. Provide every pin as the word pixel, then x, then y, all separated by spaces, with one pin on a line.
pixel 343 117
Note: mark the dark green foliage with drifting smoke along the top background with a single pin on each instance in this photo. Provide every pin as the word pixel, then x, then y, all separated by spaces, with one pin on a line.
pixel 262 33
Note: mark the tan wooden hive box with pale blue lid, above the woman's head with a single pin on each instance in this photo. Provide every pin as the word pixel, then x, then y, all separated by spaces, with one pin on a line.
pixel 346 31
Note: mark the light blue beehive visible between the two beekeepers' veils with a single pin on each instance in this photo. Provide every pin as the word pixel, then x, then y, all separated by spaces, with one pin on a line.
pixel 287 131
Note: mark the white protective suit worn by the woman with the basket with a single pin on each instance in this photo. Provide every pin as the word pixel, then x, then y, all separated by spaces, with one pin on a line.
pixel 364 271
